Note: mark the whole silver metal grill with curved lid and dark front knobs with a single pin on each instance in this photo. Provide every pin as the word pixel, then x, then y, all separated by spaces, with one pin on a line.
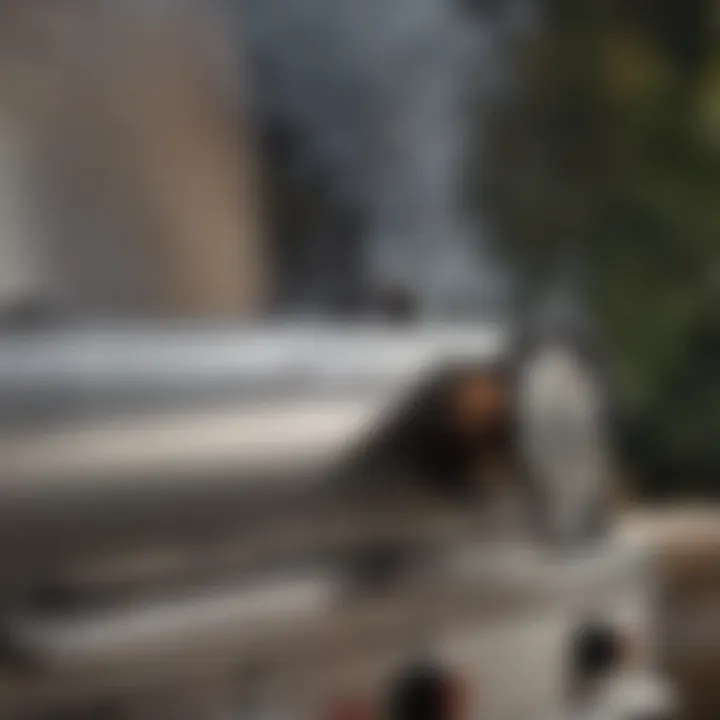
pixel 315 522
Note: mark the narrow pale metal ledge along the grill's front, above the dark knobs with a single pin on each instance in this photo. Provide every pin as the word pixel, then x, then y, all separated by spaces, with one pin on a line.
pixel 320 604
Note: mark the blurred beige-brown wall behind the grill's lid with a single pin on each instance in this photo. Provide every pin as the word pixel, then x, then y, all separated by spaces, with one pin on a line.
pixel 144 200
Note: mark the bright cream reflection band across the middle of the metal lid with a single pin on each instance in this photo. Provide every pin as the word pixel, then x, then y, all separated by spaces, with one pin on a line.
pixel 288 439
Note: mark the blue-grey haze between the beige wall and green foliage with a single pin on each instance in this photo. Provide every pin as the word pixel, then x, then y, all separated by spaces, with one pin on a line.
pixel 379 91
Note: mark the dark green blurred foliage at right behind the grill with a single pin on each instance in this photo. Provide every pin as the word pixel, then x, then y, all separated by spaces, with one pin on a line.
pixel 611 153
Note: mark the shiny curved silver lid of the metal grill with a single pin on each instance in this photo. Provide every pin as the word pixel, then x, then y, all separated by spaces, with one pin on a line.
pixel 144 440
